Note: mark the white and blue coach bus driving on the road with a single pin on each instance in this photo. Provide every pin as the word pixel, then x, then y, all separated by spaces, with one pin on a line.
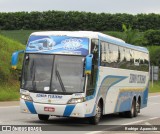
pixel 85 75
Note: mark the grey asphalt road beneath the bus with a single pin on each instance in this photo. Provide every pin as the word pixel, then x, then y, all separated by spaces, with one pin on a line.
pixel 10 115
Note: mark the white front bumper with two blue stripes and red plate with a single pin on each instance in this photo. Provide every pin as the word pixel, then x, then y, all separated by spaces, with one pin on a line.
pixel 68 110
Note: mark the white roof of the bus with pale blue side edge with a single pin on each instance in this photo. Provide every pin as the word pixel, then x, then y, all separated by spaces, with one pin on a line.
pixel 91 34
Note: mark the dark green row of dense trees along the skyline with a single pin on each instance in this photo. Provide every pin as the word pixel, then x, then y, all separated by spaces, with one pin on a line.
pixel 73 20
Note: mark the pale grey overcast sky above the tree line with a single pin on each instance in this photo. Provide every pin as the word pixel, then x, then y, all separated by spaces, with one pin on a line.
pixel 96 6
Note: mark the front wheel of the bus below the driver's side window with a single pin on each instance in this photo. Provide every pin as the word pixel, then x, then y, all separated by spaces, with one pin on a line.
pixel 95 119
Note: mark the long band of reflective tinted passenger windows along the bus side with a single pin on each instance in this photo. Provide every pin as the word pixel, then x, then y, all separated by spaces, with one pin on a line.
pixel 121 57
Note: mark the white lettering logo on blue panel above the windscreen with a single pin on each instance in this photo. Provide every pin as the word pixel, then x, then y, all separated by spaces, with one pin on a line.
pixel 72 44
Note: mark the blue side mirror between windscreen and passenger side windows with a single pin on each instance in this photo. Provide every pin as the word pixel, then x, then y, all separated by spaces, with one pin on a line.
pixel 88 64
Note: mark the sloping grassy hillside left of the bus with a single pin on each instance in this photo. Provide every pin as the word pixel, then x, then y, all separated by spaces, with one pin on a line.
pixel 9 85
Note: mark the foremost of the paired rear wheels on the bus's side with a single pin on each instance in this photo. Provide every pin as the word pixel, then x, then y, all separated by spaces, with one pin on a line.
pixel 133 111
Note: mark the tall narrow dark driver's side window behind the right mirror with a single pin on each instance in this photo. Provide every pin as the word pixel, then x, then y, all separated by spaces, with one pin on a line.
pixel 91 84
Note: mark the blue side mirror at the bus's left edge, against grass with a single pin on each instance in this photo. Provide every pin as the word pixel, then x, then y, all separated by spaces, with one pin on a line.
pixel 15 59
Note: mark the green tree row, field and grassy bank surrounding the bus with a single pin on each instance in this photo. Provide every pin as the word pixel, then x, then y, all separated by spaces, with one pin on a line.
pixel 140 29
